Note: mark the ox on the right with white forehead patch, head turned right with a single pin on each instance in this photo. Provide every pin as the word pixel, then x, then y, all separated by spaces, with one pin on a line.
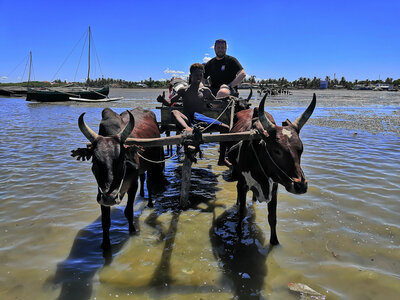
pixel 259 165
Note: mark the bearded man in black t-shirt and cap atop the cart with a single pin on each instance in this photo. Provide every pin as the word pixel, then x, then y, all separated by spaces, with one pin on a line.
pixel 224 72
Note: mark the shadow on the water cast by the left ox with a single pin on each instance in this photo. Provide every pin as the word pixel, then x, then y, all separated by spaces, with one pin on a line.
pixel 75 274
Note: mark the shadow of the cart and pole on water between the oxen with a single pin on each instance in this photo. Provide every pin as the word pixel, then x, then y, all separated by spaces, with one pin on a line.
pixel 203 190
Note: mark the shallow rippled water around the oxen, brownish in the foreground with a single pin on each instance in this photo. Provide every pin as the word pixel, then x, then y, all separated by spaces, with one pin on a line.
pixel 342 238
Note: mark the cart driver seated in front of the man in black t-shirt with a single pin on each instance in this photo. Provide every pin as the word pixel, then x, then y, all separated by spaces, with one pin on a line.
pixel 193 97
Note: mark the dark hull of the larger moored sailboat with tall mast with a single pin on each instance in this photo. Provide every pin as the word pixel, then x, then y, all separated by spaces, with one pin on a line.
pixel 53 95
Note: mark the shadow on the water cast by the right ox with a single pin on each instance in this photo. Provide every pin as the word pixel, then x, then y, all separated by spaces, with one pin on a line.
pixel 241 257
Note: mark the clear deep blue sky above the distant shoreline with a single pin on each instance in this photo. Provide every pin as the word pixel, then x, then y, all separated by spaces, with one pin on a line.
pixel 135 40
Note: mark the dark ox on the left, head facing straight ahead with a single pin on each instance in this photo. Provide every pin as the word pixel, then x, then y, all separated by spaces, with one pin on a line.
pixel 117 167
